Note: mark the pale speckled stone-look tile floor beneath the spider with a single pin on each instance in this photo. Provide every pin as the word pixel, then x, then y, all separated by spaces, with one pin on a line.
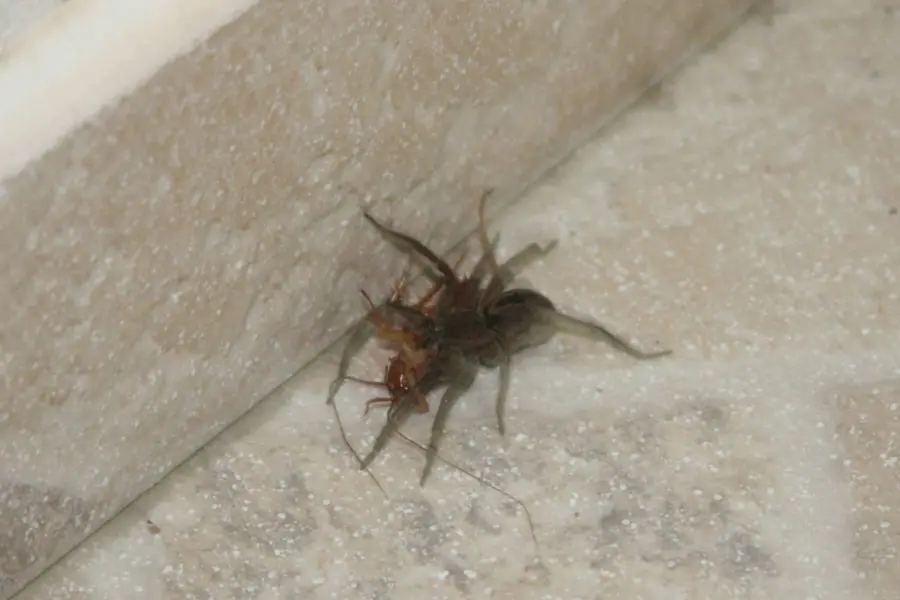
pixel 746 216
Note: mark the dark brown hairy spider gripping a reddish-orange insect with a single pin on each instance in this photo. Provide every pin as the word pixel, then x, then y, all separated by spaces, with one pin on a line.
pixel 472 325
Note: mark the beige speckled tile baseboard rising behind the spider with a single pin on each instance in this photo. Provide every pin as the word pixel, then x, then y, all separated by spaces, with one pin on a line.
pixel 171 261
